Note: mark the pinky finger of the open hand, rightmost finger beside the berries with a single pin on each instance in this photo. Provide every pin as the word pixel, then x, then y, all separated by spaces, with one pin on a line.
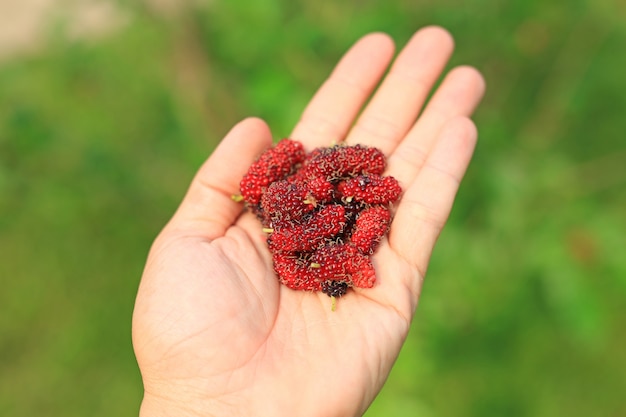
pixel 427 202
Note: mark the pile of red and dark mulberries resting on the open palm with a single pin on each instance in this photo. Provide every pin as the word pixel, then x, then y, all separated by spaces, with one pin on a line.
pixel 325 213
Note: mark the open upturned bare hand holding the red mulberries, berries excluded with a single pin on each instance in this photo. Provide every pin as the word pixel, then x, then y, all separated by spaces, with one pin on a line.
pixel 213 330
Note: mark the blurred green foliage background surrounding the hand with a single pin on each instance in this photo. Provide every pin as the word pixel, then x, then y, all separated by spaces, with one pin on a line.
pixel 522 313
